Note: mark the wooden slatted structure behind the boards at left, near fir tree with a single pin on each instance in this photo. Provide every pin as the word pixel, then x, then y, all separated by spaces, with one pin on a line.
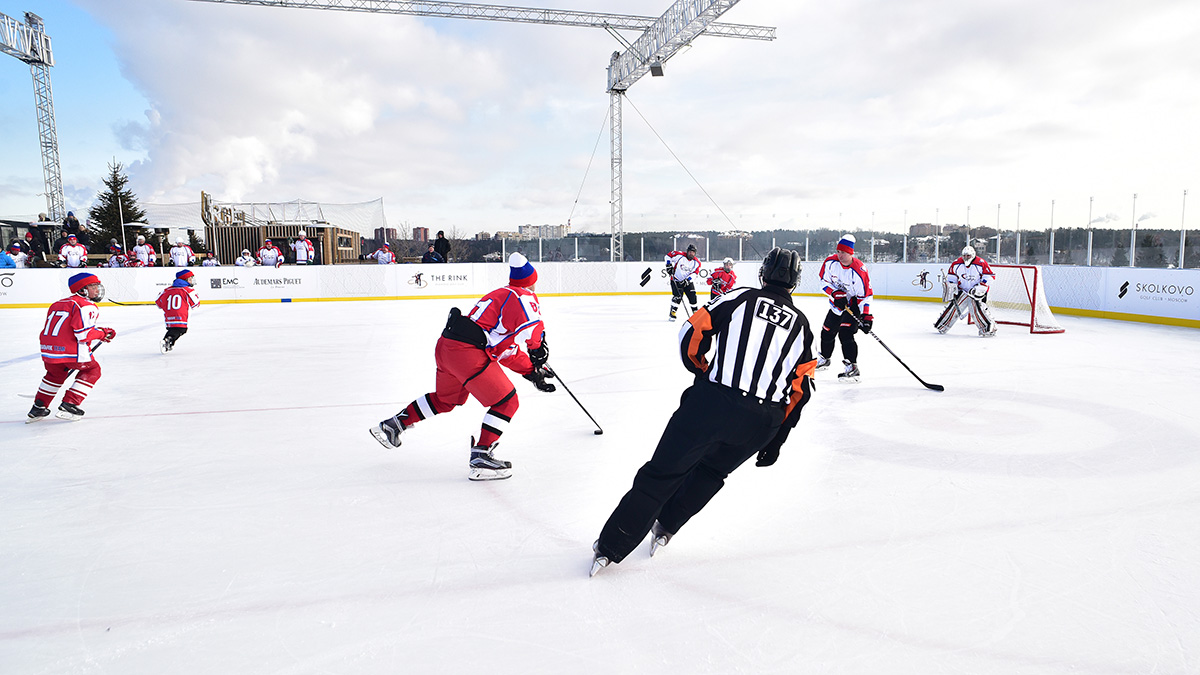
pixel 230 230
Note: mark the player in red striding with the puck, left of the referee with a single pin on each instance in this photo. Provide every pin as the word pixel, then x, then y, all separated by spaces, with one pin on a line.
pixel 500 330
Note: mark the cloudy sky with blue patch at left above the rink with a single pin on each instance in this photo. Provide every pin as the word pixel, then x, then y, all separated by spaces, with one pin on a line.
pixel 862 115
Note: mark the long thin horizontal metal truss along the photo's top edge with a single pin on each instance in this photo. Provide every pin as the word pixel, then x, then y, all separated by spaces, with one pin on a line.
pixel 502 14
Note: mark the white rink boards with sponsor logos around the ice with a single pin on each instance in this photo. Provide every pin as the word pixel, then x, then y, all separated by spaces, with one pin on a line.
pixel 1155 296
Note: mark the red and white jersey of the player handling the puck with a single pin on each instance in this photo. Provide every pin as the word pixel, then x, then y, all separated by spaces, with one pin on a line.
pixel 512 320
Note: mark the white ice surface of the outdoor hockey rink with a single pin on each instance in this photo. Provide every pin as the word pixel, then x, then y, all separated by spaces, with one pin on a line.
pixel 224 510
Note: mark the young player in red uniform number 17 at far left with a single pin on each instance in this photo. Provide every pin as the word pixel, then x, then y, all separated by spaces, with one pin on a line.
pixel 67 348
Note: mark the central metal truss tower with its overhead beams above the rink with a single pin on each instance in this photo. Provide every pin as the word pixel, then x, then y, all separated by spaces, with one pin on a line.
pixel 661 39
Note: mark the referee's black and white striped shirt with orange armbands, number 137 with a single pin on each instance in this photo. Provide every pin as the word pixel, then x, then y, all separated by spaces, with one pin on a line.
pixel 759 343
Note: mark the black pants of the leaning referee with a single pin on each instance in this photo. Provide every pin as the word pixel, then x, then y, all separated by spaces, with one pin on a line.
pixel 713 433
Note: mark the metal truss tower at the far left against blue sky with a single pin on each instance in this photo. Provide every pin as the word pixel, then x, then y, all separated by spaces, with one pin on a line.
pixel 31 44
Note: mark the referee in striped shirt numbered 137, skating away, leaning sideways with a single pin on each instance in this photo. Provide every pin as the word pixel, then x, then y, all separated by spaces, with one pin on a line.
pixel 745 403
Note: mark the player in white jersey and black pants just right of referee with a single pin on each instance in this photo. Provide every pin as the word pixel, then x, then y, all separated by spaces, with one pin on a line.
pixel 845 280
